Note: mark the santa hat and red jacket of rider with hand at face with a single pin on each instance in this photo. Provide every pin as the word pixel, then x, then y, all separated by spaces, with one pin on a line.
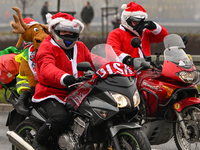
pixel 120 38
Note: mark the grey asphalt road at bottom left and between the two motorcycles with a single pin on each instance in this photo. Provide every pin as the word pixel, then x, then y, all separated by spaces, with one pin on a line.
pixel 6 145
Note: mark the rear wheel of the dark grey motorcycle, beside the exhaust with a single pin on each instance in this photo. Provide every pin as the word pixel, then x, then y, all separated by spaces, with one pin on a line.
pixel 27 130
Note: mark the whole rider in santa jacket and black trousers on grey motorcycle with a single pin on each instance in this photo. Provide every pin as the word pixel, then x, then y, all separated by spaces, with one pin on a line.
pixel 56 61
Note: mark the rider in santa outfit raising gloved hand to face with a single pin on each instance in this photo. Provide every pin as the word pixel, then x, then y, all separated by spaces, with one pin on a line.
pixel 134 24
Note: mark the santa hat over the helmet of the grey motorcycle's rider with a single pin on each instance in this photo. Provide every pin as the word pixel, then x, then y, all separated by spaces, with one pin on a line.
pixel 63 18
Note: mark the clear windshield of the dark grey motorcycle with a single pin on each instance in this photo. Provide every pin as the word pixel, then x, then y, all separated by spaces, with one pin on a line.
pixel 102 54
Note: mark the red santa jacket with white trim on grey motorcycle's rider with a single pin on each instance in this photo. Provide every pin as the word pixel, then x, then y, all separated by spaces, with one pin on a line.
pixel 52 65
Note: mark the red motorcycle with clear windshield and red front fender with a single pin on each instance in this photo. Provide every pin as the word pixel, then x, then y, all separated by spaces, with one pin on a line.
pixel 170 105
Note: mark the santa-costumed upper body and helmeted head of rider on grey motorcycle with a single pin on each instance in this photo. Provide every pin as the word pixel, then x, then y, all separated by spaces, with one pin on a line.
pixel 58 57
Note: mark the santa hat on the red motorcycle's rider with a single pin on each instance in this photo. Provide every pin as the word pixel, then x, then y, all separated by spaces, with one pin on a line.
pixel 135 10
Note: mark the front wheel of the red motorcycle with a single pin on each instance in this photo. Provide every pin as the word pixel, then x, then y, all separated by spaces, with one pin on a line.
pixel 193 126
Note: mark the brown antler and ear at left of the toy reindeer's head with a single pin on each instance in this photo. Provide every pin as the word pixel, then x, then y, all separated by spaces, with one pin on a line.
pixel 19 25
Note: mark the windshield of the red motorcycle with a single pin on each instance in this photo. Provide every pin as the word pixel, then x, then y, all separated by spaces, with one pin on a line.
pixel 174 52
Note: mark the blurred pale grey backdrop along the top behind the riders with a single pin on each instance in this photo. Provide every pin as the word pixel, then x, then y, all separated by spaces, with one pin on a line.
pixel 165 11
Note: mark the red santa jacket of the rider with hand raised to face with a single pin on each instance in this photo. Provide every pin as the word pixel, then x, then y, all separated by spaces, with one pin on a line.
pixel 120 40
